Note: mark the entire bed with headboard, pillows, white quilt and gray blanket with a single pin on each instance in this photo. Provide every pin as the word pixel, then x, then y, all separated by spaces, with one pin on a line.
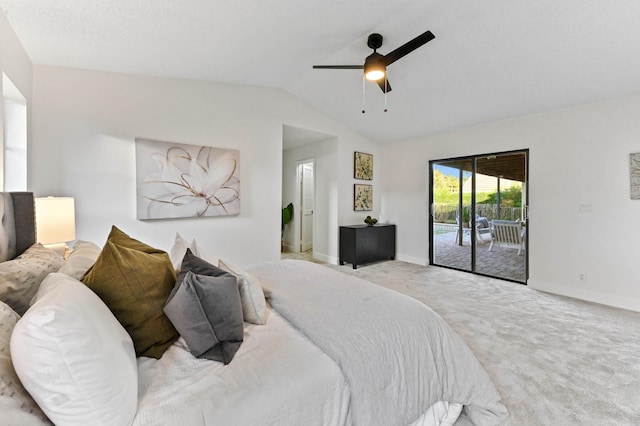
pixel 293 342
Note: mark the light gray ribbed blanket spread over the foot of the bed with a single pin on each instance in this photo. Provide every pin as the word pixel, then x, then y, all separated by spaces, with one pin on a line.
pixel 398 356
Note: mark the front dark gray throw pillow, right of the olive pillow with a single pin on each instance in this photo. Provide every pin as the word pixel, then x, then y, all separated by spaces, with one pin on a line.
pixel 207 313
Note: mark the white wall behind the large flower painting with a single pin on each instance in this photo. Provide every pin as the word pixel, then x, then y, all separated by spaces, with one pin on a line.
pixel 85 123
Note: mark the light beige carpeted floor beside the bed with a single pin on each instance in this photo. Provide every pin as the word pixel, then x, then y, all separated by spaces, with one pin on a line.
pixel 555 360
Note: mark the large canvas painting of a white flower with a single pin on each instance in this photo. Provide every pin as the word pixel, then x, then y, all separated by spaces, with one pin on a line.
pixel 177 181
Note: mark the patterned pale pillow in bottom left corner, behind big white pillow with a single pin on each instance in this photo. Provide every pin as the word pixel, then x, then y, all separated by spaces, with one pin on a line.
pixel 16 405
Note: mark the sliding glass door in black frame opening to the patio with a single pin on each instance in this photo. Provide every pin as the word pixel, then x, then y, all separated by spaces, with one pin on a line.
pixel 478 219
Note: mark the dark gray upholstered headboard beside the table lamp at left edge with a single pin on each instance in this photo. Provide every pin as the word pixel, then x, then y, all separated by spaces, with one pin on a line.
pixel 18 230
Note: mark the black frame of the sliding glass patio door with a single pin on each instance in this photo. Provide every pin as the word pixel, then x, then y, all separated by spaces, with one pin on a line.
pixel 474 157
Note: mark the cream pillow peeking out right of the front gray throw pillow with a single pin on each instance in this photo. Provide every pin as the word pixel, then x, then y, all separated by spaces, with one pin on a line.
pixel 254 306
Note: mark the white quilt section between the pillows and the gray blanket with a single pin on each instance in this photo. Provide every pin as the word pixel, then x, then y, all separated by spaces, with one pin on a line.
pixel 277 377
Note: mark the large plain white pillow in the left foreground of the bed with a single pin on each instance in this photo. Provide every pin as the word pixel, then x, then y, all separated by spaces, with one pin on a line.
pixel 74 357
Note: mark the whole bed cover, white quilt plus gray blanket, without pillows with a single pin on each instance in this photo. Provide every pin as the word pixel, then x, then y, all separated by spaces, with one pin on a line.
pixel 357 354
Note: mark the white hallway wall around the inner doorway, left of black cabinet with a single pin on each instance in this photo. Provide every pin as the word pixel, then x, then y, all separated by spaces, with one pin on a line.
pixel 325 156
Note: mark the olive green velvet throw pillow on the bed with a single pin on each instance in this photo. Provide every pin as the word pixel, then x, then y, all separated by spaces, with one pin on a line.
pixel 134 281
